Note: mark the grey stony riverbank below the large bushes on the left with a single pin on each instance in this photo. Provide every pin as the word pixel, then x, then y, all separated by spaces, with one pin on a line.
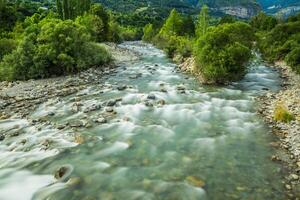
pixel 19 98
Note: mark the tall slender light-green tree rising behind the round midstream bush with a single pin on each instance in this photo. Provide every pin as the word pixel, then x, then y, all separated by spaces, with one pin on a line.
pixel 203 20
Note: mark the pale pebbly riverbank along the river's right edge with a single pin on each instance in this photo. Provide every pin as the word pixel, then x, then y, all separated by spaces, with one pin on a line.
pixel 288 133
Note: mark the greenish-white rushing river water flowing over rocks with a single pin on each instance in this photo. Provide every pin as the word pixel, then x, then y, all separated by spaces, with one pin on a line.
pixel 170 138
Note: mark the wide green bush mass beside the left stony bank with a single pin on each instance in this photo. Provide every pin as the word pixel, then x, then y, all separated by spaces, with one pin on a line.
pixel 52 47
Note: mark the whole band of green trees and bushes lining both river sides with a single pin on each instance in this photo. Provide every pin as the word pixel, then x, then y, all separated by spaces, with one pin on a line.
pixel 39 43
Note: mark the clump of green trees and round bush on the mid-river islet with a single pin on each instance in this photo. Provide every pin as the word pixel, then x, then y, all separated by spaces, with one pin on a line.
pixel 221 52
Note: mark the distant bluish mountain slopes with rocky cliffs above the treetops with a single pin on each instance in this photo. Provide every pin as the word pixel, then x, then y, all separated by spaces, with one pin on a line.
pixel 238 8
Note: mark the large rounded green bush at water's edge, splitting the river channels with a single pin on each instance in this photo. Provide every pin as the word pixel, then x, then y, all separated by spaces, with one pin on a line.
pixel 222 53
